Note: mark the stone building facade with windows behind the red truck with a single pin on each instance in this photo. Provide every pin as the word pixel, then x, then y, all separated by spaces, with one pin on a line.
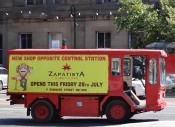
pixel 45 23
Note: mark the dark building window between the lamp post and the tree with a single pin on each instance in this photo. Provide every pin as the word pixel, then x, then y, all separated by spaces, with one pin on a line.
pixel 103 39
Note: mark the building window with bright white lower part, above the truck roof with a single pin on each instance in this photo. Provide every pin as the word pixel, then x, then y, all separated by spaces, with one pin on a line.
pixel 55 40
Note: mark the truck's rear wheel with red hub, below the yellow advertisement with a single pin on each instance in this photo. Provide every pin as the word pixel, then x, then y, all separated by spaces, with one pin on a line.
pixel 42 111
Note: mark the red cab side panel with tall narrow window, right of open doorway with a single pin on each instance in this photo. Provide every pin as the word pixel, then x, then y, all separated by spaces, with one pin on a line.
pixel 151 83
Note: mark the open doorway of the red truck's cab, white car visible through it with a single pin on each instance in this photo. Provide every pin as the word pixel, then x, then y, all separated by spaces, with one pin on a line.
pixel 134 74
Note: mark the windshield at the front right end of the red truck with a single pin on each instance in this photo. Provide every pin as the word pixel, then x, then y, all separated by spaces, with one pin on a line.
pixel 162 72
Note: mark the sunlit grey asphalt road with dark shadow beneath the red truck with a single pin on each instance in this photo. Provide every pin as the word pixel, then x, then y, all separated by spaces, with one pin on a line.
pixel 16 116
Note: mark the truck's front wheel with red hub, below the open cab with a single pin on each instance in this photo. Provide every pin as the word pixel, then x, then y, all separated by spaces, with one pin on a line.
pixel 117 111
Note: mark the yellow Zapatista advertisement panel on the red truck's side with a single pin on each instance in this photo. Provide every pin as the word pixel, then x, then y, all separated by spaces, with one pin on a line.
pixel 58 73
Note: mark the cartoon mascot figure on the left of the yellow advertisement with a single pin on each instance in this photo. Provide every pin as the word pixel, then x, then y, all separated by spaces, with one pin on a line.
pixel 22 71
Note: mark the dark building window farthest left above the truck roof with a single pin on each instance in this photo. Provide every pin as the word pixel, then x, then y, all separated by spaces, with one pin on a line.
pixel 25 41
